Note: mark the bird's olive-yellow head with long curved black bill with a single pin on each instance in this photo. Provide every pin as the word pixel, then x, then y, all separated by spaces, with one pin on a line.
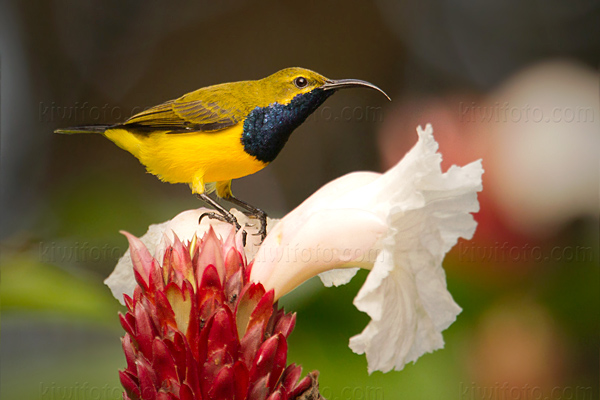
pixel 287 84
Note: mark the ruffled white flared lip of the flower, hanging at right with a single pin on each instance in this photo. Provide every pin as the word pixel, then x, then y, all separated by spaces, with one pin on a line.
pixel 405 294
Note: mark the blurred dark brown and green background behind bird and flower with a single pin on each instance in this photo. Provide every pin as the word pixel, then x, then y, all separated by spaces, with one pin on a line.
pixel 514 83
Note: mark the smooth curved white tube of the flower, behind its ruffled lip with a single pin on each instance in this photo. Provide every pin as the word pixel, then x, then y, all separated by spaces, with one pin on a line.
pixel 324 240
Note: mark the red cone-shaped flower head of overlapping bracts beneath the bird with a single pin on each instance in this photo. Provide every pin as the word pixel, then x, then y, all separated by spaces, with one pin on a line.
pixel 197 328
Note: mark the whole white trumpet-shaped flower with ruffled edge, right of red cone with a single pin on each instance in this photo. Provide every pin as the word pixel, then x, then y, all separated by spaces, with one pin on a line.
pixel 400 225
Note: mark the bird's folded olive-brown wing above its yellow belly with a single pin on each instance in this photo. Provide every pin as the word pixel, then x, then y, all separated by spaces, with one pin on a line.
pixel 184 116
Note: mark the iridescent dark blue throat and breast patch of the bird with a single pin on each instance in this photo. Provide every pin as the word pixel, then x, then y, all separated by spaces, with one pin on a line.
pixel 267 129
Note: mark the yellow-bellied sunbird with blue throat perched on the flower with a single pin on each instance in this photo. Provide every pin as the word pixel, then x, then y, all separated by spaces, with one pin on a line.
pixel 208 137
